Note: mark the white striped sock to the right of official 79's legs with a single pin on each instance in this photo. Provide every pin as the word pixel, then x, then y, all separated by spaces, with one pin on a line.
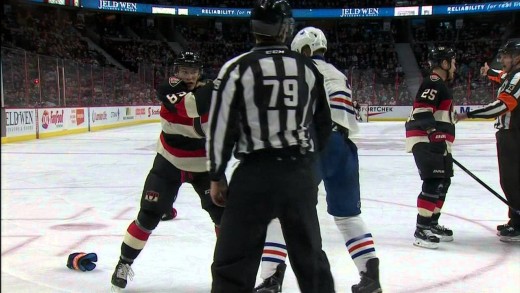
pixel 358 240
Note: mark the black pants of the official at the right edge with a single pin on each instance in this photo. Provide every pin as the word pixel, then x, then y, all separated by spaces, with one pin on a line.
pixel 508 152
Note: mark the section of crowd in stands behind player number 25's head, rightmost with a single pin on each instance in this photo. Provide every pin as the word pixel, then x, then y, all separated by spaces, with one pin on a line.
pixel 474 43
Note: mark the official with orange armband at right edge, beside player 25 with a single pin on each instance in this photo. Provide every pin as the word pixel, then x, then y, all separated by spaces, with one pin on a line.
pixel 507 113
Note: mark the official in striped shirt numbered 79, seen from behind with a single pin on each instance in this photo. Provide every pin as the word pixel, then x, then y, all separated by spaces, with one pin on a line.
pixel 270 106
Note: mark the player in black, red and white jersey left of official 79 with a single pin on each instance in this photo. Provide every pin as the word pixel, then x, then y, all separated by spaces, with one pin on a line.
pixel 181 158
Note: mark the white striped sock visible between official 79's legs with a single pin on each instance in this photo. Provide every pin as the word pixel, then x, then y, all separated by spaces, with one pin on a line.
pixel 275 251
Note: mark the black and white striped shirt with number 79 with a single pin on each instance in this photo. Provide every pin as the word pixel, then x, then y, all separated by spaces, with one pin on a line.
pixel 266 99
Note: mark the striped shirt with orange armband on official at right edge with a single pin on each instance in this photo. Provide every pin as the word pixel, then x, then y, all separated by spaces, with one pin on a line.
pixel 506 108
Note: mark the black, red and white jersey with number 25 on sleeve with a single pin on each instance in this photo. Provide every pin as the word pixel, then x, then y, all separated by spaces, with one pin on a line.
pixel 432 109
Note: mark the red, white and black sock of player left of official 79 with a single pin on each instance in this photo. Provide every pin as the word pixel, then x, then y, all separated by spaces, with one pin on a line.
pixel 134 241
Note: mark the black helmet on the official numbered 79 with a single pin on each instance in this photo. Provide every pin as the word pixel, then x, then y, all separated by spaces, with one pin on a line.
pixel 272 18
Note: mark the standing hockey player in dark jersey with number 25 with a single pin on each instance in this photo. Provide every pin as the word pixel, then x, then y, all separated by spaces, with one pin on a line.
pixel 430 132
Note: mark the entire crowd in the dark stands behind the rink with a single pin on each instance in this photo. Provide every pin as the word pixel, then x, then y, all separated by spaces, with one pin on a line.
pixel 66 57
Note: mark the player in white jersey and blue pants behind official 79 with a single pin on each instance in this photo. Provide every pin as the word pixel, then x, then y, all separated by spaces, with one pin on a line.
pixel 339 168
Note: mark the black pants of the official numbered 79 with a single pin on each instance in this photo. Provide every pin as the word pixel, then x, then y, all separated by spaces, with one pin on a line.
pixel 265 186
